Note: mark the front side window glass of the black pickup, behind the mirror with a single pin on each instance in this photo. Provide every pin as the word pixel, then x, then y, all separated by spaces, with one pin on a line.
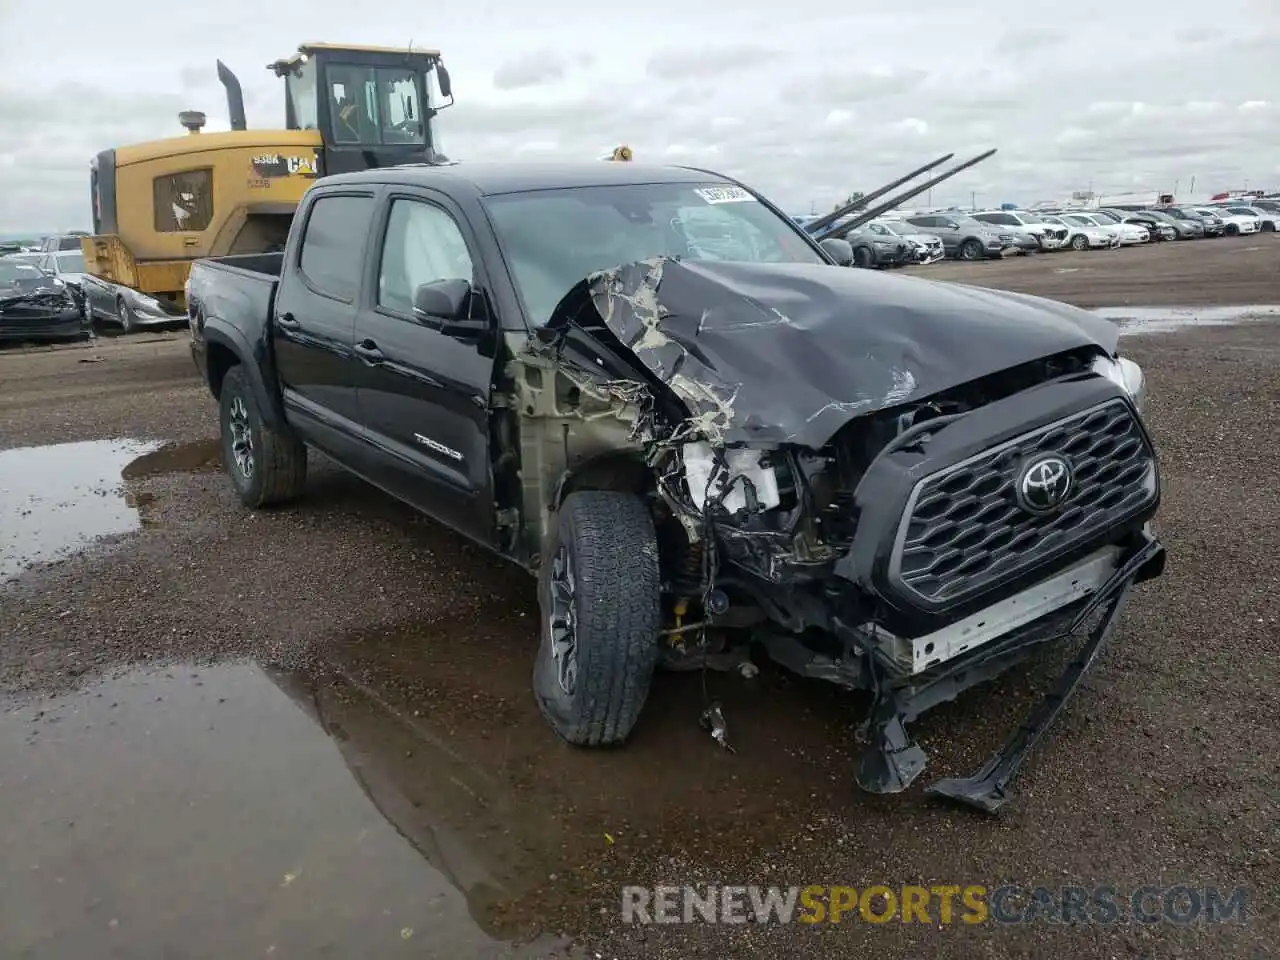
pixel 423 245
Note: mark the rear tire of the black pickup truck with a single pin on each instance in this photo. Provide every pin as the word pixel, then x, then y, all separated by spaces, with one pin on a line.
pixel 280 461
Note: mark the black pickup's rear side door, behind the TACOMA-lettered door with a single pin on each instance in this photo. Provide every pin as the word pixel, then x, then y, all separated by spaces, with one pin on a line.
pixel 314 322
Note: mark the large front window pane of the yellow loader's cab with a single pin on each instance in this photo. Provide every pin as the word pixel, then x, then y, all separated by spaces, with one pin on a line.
pixel 376 104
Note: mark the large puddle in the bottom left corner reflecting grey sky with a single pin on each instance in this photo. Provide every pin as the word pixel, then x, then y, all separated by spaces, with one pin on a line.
pixel 235 812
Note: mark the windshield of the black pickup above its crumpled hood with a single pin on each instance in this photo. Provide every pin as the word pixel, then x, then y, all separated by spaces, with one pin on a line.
pixel 555 239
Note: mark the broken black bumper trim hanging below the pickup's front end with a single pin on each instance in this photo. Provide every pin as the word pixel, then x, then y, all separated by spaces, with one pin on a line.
pixel 893 761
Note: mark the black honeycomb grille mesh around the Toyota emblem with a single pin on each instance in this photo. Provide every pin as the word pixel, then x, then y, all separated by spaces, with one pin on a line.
pixel 964 529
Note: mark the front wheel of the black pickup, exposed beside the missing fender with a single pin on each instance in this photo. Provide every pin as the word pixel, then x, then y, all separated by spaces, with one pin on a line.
pixel 601 616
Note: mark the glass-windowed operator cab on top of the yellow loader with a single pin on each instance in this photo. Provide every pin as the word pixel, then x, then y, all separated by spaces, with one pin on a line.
pixel 373 107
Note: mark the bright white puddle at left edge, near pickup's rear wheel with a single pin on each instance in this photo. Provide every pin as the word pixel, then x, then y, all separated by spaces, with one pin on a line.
pixel 58 500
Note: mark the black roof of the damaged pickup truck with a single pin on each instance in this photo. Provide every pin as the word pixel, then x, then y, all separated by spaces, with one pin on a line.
pixel 511 177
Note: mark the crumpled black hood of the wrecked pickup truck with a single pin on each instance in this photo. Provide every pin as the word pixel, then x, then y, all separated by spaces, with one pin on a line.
pixel 790 353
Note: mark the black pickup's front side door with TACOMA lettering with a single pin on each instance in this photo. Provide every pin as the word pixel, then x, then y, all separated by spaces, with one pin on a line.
pixel 424 396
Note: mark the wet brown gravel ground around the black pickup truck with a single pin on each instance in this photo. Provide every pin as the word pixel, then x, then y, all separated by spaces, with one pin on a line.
pixel 310 733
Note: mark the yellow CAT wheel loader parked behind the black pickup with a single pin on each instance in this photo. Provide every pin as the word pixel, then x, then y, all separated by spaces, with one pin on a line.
pixel 158 207
